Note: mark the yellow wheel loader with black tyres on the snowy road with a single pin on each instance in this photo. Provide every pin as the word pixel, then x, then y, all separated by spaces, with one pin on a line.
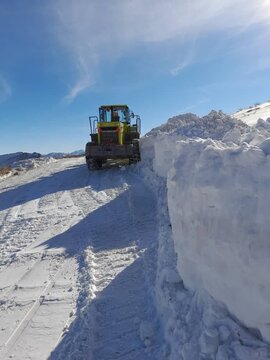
pixel 113 136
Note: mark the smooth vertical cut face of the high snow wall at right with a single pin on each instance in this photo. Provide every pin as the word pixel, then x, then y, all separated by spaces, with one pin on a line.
pixel 218 200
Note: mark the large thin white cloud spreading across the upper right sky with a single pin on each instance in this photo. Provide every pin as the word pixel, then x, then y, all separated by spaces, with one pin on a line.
pixel 99 31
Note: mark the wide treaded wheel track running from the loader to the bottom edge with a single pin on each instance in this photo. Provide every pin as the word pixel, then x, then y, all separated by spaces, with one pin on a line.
pixel 115 298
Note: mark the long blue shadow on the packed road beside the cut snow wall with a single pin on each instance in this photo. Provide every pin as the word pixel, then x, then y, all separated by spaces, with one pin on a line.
pixel 108 325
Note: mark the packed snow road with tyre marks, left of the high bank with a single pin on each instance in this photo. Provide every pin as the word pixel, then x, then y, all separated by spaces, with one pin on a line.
pixel 77 264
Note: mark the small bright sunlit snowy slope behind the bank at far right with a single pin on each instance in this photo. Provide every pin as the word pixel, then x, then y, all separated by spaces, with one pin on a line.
pixel 253 113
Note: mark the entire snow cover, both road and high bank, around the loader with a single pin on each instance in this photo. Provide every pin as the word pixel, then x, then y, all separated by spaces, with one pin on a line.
pixel 166 259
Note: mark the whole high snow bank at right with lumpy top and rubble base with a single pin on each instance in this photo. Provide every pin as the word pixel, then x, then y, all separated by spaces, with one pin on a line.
pixel 215 234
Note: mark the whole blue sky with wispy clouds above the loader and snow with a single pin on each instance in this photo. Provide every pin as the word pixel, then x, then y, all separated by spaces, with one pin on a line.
pixel 61 59
